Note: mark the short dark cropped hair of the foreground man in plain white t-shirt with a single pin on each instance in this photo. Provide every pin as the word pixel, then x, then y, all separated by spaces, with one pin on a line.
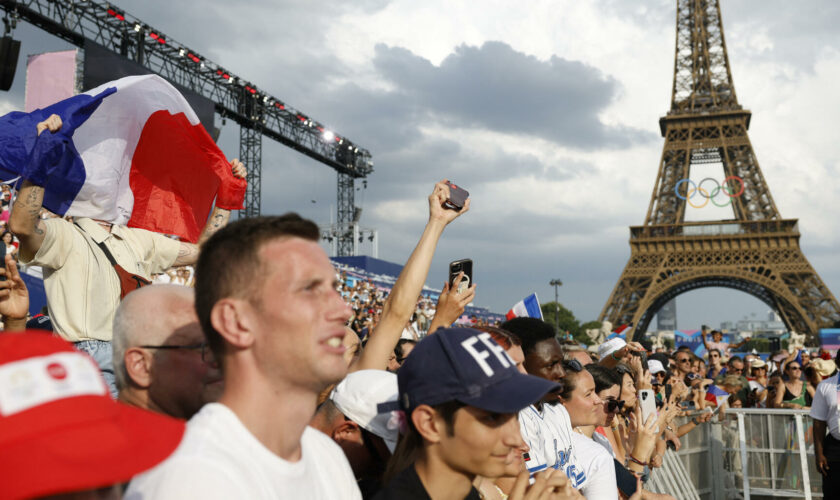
pixel 229 264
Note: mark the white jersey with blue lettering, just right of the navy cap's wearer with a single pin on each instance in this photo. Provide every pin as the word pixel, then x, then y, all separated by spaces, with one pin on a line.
pixel 549 435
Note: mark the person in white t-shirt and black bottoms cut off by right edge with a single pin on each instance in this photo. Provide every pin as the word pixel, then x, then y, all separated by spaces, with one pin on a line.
pixel 826 415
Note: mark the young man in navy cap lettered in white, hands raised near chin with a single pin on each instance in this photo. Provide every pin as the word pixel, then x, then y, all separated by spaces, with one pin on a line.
pixel 460 392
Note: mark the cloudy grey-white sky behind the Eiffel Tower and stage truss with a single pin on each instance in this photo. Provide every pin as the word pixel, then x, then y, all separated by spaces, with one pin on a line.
pixel 548 115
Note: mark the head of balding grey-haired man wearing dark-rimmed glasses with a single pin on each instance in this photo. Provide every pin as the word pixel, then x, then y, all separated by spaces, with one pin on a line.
pixel 161 360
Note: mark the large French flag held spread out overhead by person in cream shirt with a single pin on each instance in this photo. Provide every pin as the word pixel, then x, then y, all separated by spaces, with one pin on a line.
pixel 130 152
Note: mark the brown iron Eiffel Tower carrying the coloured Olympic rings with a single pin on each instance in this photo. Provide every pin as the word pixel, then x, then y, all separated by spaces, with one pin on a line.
pixel 757 251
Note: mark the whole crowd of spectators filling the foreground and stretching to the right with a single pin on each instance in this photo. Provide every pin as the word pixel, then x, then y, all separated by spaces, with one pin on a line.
pixel 276 377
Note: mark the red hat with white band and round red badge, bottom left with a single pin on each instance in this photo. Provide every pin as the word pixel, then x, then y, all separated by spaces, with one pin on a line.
pixel 60 431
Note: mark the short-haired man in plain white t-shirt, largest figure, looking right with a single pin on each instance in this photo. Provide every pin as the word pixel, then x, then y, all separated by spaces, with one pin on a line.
pixel 266 299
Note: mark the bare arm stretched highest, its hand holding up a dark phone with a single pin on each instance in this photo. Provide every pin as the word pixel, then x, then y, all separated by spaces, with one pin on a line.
pixel 403 297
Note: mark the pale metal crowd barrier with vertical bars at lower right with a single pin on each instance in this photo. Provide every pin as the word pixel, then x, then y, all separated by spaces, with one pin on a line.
pixel 754 453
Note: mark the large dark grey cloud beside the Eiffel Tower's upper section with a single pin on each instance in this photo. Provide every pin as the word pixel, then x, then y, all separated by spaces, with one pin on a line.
pixel 498 88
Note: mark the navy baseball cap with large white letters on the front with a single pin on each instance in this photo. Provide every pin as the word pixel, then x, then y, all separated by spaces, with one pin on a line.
pixel 468 366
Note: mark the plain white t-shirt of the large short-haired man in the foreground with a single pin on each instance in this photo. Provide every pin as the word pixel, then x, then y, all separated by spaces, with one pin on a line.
pixel 219 458
